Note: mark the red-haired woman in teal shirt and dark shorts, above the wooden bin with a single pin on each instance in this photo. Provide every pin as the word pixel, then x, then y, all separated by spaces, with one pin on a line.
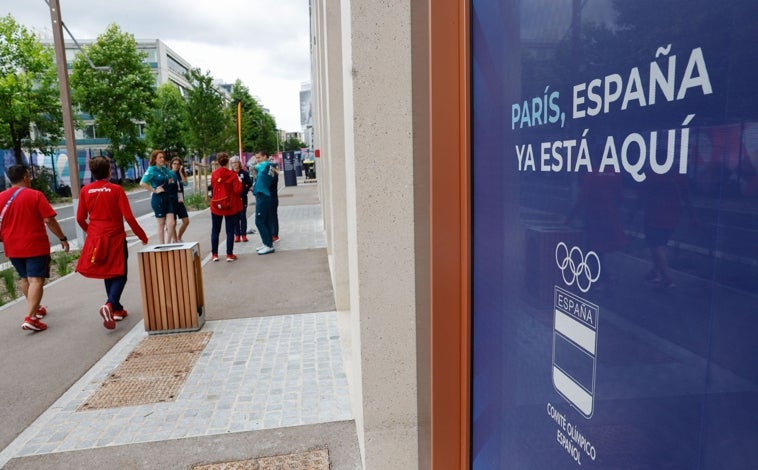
pixel 160 181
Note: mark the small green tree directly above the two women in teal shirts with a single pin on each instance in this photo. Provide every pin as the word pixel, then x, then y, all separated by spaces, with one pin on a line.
pixel 168 127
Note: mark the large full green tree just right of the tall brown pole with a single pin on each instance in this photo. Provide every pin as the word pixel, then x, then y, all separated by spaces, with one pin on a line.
pixel 119 98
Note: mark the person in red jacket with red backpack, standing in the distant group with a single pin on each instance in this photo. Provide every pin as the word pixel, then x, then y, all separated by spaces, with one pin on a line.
pixel 225 205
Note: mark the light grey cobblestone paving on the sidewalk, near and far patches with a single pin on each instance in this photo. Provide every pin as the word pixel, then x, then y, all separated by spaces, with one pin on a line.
pixel 253 374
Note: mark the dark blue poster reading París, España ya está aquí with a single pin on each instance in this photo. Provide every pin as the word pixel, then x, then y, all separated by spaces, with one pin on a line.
pixel 615 234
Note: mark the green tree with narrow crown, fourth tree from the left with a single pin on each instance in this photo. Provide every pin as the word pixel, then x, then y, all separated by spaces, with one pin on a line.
pixel 208 121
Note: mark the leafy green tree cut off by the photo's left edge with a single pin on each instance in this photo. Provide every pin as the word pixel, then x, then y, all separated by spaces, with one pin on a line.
pixel 29 97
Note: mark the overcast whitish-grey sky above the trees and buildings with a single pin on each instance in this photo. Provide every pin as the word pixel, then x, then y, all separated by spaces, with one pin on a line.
pixel 264 43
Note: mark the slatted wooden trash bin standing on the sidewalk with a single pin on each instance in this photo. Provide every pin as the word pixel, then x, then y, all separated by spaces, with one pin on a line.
pixel 171 278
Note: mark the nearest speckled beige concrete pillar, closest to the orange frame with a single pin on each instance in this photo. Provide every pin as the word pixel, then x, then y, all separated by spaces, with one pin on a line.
pixel 377 83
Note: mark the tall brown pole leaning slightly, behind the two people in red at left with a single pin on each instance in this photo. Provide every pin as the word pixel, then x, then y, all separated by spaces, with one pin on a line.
pixel 68 118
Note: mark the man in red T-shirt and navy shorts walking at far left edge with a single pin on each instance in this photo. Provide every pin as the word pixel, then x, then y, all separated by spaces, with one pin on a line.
pixel 24 215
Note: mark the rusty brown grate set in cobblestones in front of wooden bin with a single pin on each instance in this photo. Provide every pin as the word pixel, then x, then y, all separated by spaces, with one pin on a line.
pixel 154 372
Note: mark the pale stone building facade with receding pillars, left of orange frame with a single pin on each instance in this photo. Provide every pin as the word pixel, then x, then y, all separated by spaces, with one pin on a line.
pixel 375 168
